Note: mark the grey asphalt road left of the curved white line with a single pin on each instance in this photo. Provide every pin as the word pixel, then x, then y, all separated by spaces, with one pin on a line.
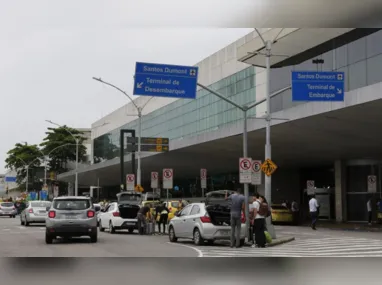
pixel 21 241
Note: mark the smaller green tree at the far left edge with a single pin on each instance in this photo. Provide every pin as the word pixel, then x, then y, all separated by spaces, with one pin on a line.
pixel 22 155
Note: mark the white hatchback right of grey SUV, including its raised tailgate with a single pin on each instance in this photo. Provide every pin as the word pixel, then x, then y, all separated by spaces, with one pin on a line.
pixel 122 214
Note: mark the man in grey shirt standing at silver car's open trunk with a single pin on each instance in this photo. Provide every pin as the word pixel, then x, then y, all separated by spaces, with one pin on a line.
pixel 237 207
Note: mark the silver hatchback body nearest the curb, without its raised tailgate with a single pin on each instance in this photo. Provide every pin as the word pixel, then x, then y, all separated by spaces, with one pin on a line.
pixel 201 222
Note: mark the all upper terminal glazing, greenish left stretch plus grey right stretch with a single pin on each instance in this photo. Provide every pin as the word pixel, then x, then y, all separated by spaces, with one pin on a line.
pixel 361 61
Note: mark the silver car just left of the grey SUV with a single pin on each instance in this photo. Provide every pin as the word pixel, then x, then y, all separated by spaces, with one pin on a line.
pixel 35 212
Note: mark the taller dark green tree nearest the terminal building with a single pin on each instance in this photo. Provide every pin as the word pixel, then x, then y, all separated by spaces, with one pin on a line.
pixel 61 147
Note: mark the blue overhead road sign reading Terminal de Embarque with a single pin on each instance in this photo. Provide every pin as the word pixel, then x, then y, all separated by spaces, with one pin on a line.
pixel 318 86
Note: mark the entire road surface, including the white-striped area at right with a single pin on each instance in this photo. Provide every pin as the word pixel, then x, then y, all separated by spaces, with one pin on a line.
pixel 21 241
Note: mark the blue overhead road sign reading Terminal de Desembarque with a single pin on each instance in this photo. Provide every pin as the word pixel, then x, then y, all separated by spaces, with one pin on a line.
pixel 162 80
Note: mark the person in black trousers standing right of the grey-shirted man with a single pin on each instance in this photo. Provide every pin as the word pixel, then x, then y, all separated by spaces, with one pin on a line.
pixel 260 212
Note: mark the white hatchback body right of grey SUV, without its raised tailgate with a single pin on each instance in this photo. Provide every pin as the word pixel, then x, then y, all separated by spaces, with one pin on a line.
pixel 119 217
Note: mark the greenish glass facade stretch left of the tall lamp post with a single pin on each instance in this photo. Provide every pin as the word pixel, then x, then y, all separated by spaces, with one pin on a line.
pixel 187 118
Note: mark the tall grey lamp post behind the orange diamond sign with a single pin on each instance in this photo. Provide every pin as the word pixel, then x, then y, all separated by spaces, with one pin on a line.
pixel 268 154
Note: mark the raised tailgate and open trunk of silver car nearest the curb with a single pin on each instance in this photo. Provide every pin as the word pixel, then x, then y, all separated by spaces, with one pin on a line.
pixel 218 208
